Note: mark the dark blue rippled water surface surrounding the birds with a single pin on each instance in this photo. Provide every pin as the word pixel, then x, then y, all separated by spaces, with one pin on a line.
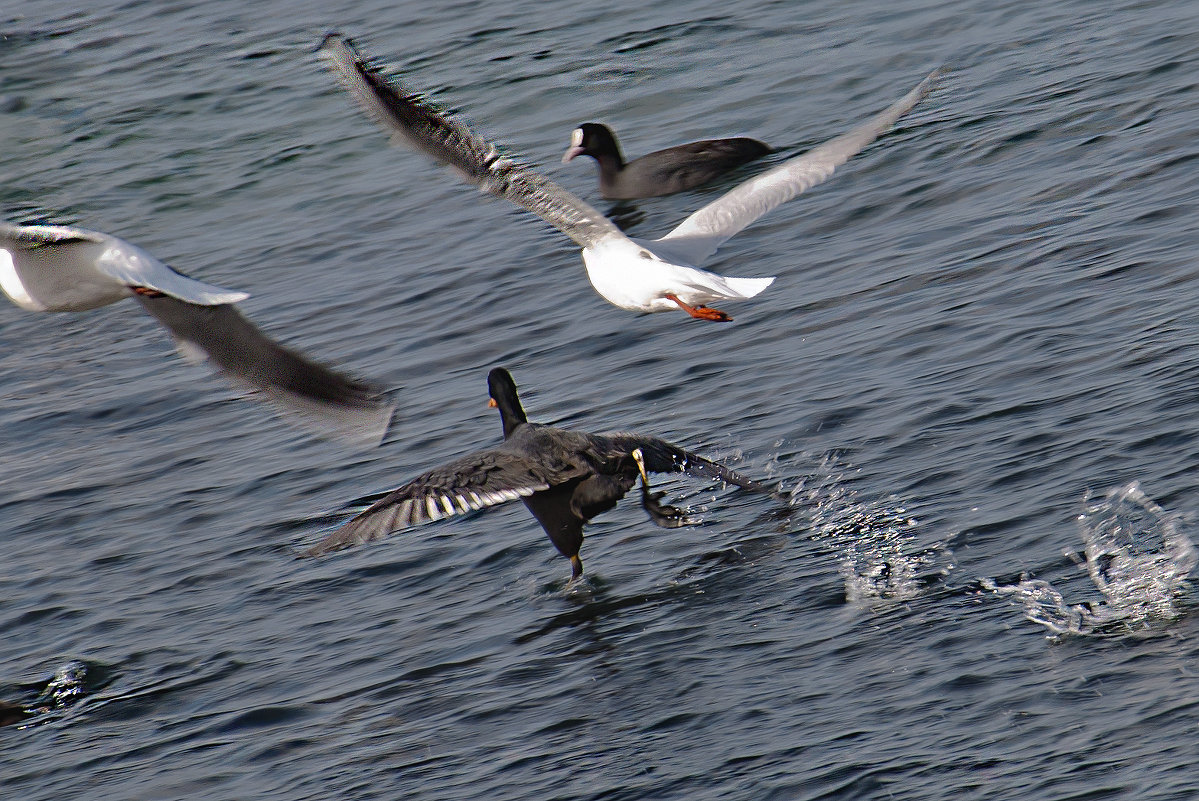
pixel 983 320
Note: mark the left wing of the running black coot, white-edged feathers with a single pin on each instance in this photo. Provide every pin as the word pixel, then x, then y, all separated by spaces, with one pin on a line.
pixel 475 481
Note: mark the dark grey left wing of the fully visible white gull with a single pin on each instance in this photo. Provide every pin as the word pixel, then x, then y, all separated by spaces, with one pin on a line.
pixel 423 127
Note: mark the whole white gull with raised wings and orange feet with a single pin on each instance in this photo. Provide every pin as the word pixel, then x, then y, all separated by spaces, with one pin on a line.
pixel 637 275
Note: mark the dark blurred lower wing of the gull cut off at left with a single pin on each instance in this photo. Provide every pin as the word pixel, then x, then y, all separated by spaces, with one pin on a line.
pixel 324 399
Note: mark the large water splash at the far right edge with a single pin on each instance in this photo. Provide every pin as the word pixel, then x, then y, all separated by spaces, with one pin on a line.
pixel 1136 558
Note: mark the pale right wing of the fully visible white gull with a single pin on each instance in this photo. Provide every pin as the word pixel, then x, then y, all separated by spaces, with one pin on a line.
pixel 698 237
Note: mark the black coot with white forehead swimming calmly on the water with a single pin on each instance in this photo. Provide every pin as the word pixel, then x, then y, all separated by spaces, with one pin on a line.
pixel 664 172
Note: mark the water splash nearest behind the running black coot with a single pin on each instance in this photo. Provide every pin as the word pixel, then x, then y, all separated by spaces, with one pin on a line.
pixel 877 544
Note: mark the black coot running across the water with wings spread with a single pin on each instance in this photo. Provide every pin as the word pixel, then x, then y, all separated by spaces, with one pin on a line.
pixel 565 478
